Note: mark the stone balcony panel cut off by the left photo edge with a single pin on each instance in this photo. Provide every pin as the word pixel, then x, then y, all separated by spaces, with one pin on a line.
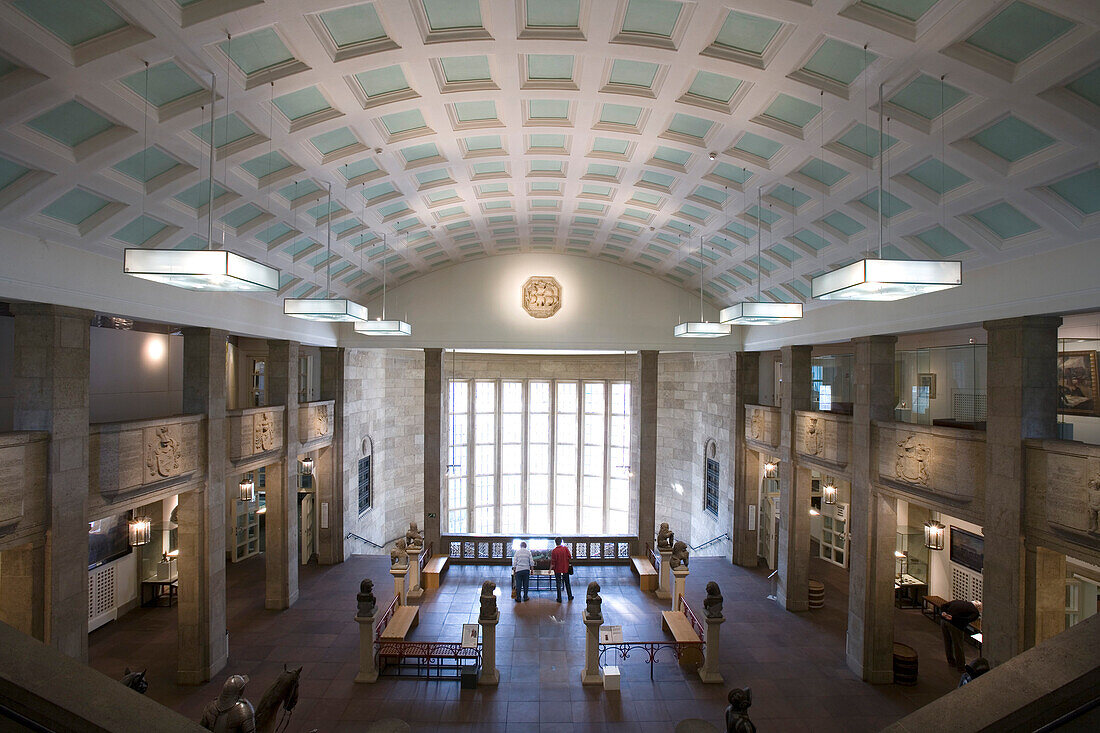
pixel 23 486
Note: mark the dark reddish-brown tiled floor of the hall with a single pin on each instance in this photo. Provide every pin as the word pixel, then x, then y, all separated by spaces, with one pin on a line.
pixel 795 663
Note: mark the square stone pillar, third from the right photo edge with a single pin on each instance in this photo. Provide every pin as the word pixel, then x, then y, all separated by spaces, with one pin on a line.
pixel 793 589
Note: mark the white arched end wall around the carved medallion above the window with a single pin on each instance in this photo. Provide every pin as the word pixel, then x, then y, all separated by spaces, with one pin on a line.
pixel 479 305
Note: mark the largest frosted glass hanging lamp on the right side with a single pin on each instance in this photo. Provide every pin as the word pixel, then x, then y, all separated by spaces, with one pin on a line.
pixel 887 280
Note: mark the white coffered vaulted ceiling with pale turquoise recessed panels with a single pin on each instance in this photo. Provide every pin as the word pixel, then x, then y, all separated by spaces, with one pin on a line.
pixel 624 130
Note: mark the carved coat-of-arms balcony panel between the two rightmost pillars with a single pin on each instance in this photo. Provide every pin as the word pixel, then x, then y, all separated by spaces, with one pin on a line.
pixel 932 462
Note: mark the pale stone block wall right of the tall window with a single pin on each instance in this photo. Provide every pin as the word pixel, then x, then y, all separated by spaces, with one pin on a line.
pixel 695 404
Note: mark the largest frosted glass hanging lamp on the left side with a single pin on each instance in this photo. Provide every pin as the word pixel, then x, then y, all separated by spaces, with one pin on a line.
pixel 201 270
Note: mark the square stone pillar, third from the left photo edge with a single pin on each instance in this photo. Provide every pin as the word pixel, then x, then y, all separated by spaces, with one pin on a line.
pixel 281 548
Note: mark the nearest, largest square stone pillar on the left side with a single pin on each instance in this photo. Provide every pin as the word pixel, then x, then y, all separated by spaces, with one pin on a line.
pixel 51 385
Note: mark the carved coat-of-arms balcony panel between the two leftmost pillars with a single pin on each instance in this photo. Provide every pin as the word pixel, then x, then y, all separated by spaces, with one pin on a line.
pixel 133 458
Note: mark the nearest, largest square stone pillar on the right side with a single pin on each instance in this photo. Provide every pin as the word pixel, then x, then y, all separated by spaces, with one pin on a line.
pixel 1022 403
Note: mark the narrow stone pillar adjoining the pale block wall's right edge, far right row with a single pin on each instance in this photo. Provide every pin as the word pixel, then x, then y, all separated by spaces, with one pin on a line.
pixel 746 485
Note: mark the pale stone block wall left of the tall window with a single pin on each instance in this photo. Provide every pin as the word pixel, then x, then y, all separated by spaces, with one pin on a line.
pixel 384 408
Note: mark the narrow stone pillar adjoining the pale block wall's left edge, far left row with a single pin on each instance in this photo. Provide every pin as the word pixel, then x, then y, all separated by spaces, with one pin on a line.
pixel 331 495
